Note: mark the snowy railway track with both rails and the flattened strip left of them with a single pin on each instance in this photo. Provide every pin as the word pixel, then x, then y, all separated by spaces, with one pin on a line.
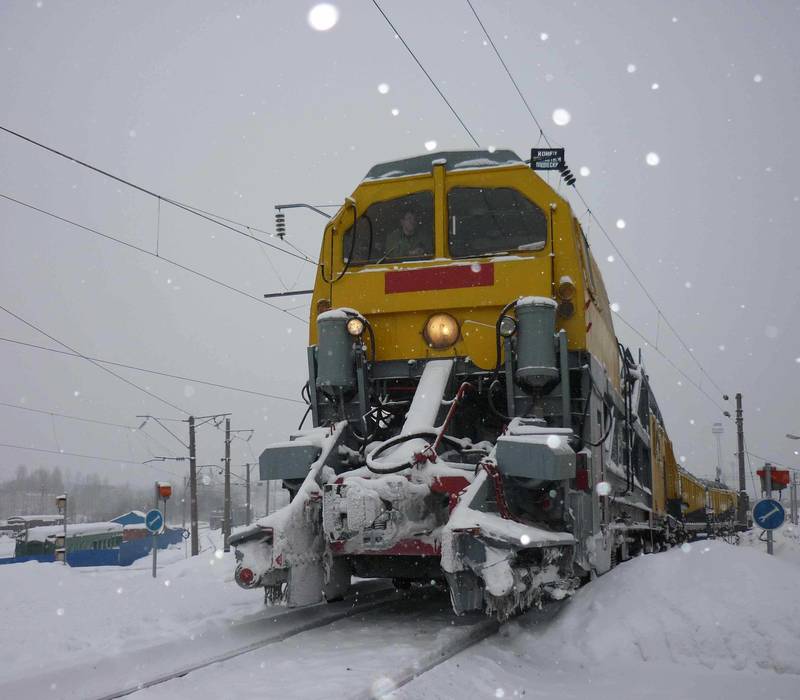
pixel 358 649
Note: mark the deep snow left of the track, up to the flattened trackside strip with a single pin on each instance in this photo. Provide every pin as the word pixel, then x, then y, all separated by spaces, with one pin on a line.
pixel 55 615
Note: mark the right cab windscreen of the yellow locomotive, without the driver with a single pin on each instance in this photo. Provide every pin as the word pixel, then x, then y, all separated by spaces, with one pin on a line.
pixel 483 221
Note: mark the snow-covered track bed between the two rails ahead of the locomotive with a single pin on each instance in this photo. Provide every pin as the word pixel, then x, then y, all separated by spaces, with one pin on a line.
pixel 365 657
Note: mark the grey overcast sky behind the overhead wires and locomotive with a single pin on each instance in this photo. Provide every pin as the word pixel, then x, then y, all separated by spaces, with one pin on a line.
pixel 235 106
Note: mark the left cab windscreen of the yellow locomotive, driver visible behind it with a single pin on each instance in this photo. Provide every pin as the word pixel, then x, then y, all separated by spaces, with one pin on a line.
pixel 393 230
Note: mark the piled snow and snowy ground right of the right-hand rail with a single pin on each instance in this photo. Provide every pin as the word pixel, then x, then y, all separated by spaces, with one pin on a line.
pixel 706 621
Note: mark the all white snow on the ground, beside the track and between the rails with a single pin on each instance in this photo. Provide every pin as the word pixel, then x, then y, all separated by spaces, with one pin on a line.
pixel 706 621
